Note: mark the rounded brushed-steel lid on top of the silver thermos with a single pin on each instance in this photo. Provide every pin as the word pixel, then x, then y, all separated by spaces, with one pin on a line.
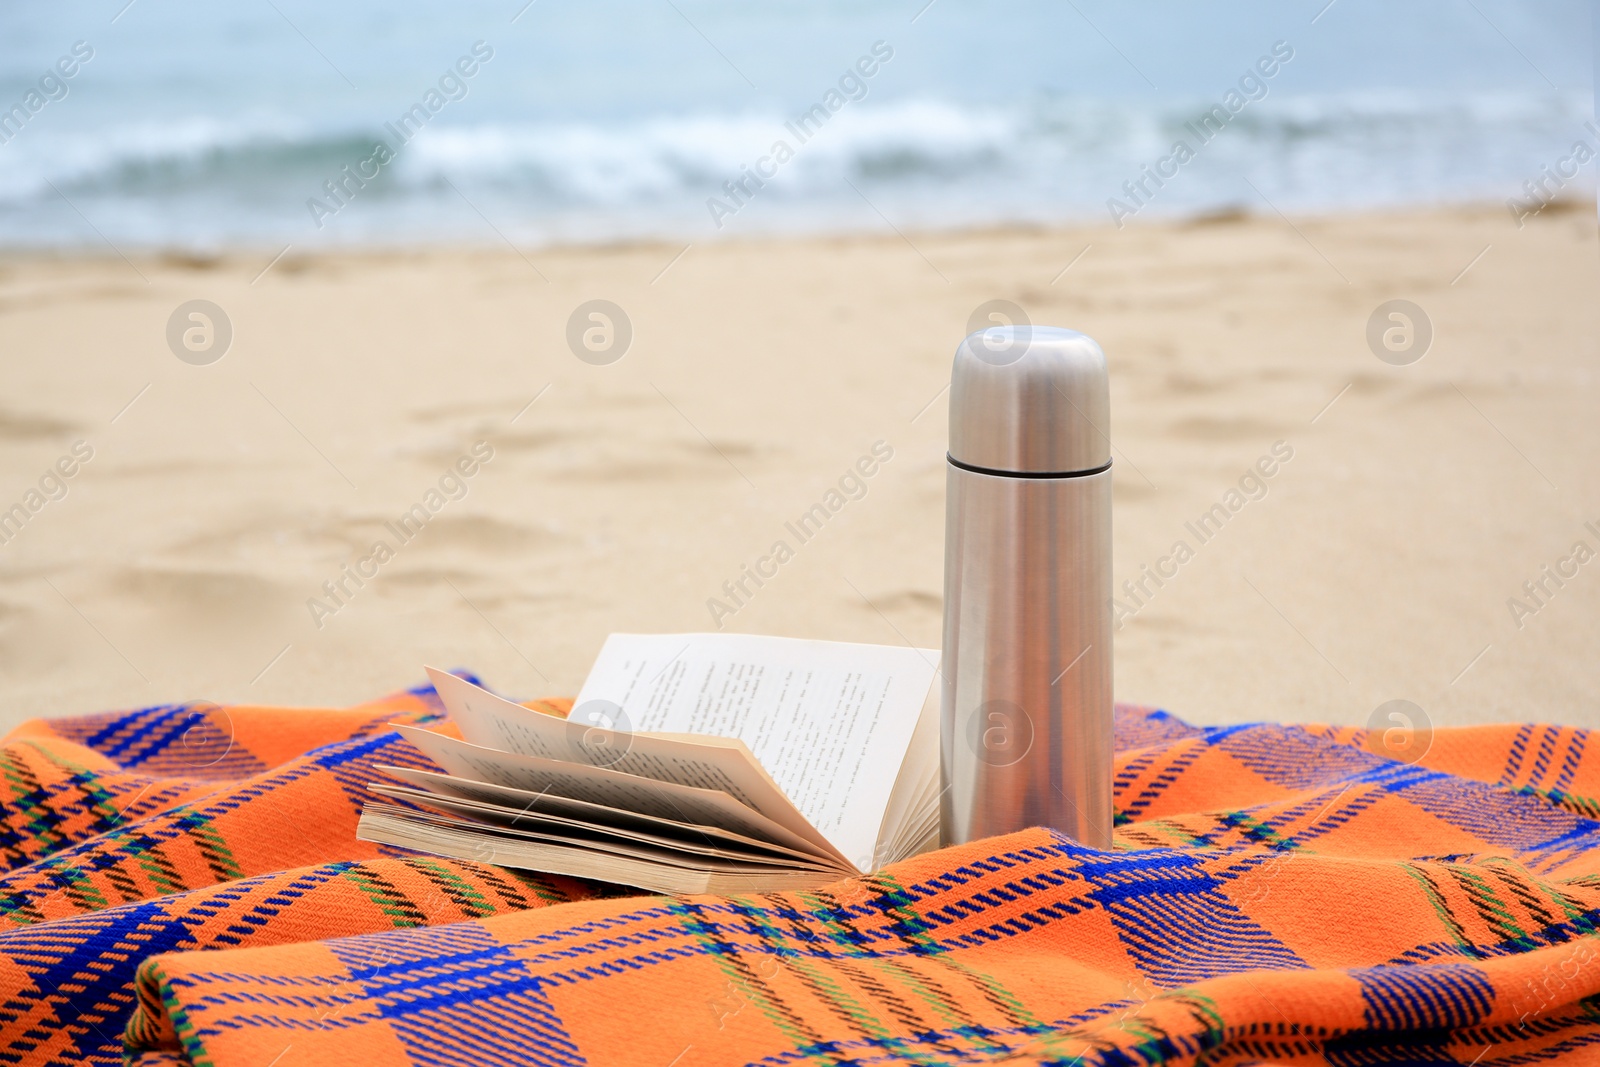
pixel 1031 401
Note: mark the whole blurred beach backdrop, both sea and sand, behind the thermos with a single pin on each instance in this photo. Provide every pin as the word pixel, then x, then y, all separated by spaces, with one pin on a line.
pixel 777 332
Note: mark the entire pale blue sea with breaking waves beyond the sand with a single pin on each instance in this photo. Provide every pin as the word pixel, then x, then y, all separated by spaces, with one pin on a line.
pixel 359 124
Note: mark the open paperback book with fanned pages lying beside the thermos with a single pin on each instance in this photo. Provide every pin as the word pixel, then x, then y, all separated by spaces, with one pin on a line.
pixel 690 764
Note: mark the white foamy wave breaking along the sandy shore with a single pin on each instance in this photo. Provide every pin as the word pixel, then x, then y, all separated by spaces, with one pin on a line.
pixel 924 162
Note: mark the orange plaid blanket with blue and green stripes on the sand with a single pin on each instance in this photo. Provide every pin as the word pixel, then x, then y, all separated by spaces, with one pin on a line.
pixel 185 885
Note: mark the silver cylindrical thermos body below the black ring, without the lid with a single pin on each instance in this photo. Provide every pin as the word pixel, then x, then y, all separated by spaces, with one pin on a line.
pixel 1025 593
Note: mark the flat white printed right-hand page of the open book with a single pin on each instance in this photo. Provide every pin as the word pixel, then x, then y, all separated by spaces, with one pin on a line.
pixel 831 722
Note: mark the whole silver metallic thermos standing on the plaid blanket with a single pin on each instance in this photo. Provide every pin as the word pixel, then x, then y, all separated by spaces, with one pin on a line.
pixel 1026 706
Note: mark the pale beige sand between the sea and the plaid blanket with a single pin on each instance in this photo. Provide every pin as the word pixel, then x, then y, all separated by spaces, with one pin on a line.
pixel 185 559
